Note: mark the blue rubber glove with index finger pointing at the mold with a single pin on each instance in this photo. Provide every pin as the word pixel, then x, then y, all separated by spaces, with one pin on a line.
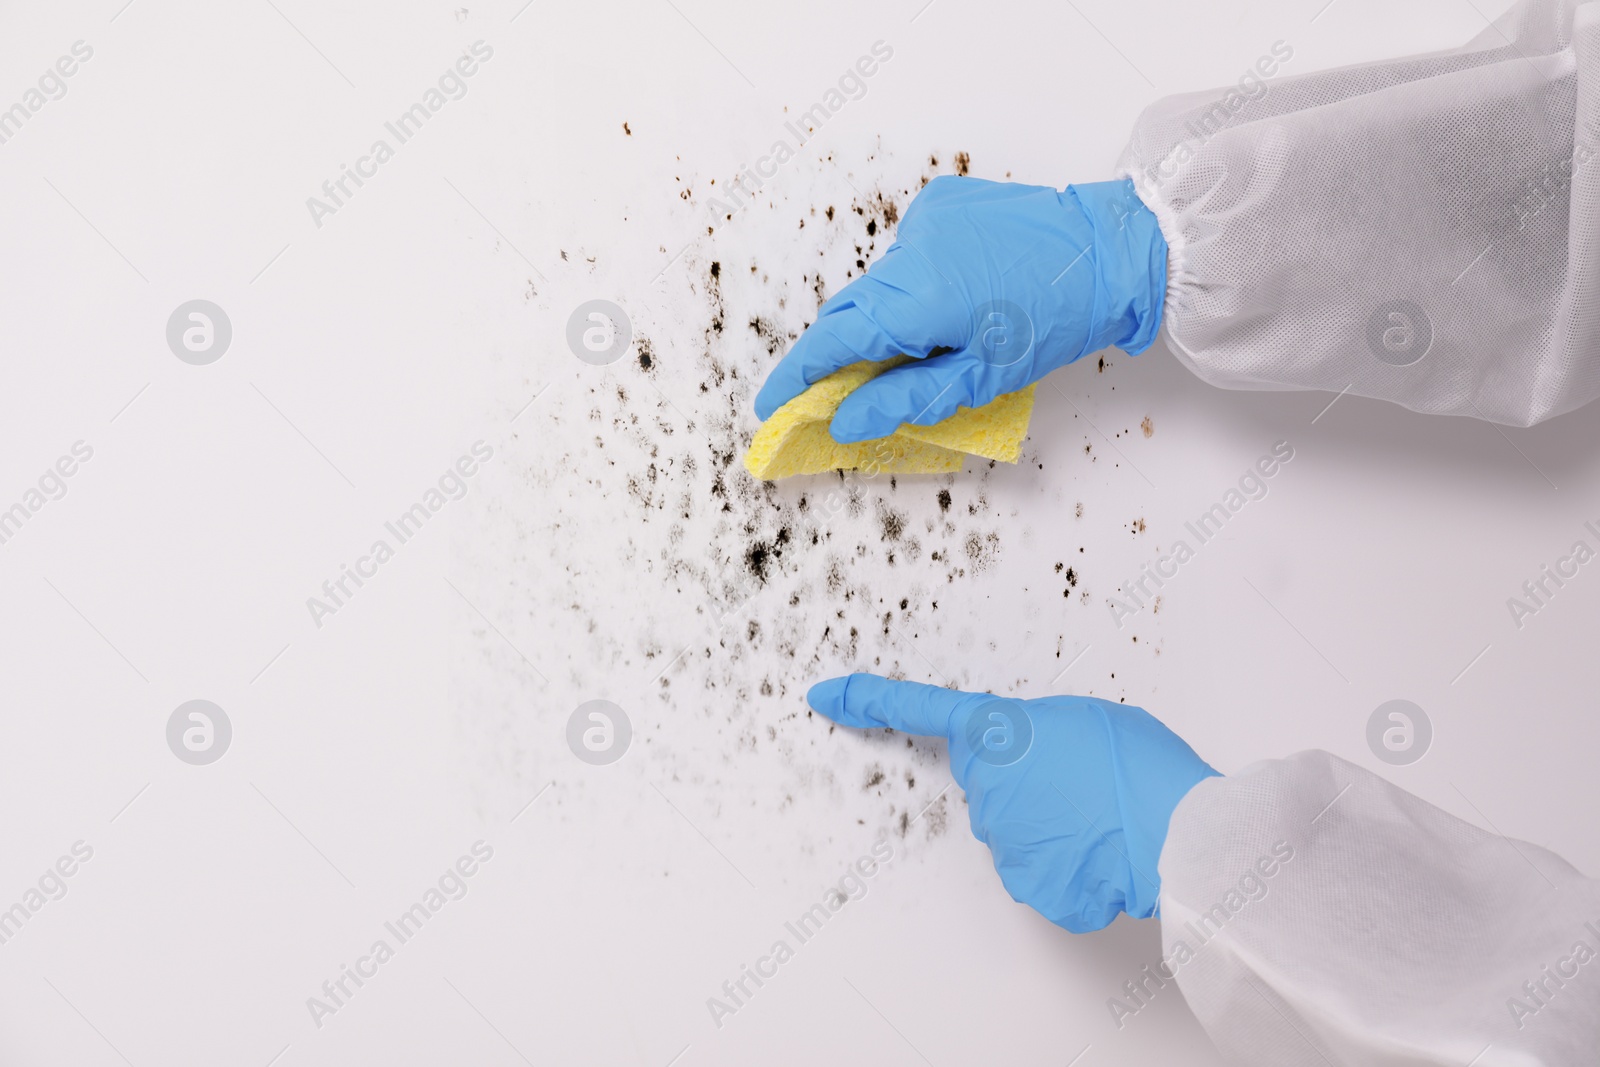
pixel 1071 794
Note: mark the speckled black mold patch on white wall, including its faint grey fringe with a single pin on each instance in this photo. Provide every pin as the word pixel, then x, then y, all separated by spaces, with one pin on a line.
pixel 631 556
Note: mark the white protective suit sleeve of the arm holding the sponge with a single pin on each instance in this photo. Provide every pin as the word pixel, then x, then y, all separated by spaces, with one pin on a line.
pixel 1423 231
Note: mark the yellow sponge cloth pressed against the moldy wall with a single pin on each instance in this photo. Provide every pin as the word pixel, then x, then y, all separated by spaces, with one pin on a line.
pixel 796 439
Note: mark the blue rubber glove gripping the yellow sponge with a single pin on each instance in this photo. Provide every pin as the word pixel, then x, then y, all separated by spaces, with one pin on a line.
pixel 991 286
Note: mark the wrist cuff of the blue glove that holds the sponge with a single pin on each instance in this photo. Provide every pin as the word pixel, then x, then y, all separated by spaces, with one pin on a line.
pixel 1130 266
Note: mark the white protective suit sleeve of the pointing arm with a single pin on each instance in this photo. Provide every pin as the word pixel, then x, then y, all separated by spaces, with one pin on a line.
pixel 1316 914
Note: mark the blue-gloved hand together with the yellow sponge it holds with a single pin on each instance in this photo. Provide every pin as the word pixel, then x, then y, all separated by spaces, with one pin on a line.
pixel 935 351
